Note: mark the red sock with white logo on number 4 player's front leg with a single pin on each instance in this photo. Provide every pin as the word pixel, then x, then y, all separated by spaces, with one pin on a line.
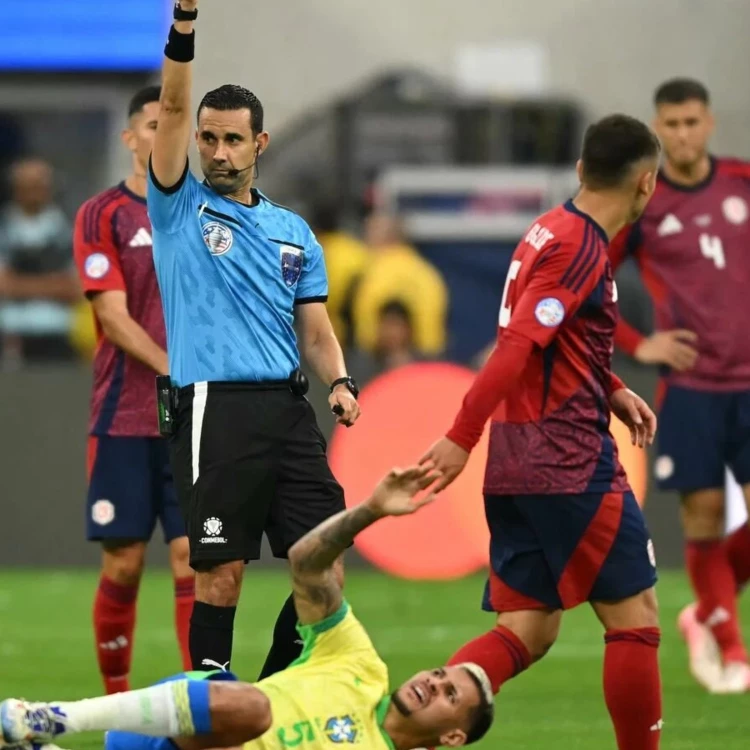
pixel 716 590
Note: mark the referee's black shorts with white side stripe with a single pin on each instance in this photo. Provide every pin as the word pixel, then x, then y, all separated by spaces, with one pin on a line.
pixel 246 461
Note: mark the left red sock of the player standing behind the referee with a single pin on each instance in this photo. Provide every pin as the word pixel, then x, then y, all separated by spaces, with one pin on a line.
pixel 114 623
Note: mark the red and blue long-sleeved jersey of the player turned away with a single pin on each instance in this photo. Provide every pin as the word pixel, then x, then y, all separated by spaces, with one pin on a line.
pixel 547 385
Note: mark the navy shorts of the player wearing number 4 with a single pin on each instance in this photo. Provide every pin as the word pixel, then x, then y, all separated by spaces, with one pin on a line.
pixel 700 434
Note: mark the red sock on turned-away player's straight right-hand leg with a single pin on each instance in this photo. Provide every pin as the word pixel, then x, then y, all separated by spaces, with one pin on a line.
pixel 632 687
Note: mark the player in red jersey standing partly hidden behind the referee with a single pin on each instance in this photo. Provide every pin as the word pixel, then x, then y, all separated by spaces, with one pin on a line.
pixel 130 482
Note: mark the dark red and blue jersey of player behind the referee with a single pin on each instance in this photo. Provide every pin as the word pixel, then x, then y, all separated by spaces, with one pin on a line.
pixel 113 252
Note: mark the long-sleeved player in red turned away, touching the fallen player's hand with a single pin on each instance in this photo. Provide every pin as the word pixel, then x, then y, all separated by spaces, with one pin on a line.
pixel 565 526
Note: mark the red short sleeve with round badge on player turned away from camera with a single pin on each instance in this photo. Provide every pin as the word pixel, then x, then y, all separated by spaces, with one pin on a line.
pixel 561 280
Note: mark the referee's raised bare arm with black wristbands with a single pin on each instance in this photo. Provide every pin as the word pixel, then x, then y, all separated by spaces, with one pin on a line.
pixel 173 131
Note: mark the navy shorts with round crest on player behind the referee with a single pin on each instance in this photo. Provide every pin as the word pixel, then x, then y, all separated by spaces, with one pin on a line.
pixel 130 488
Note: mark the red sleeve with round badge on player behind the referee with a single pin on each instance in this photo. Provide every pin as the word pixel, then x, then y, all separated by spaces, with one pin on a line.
pixel 96 255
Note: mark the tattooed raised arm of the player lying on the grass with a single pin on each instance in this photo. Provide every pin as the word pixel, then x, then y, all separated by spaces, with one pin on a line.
pixel 317 589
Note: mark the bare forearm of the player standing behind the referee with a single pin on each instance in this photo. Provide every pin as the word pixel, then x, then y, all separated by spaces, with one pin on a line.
pixel 111 310
